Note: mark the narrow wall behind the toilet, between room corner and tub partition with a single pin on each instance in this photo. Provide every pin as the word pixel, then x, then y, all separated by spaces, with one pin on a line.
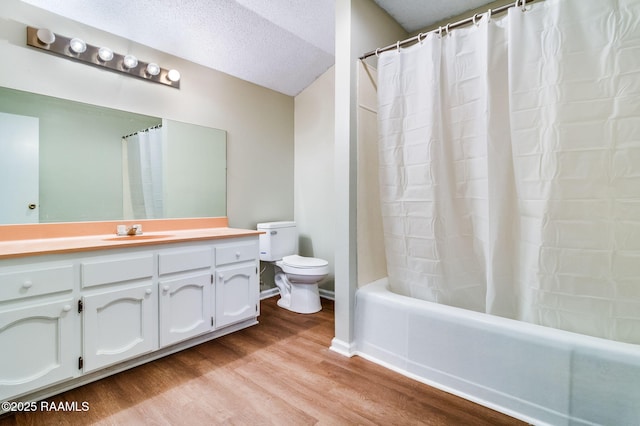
pixel 313 175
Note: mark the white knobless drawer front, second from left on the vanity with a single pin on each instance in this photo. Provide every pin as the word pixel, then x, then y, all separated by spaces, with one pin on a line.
pixel 109 270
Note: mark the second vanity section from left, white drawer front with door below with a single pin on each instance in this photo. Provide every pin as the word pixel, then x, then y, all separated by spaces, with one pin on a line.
pixel 119 309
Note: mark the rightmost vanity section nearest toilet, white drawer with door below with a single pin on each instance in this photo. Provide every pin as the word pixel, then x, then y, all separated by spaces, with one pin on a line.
pixel 237 284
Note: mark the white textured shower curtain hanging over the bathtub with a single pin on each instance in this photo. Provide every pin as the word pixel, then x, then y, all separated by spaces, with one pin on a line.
pixel 510 166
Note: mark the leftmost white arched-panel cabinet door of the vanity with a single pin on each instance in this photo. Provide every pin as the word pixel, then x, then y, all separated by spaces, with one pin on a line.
pixel 37 347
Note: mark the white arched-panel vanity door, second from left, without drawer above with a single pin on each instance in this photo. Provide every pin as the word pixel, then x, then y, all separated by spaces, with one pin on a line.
pixel 119 324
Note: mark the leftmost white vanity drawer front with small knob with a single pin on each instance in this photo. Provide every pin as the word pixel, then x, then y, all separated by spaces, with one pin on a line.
pixel 35 282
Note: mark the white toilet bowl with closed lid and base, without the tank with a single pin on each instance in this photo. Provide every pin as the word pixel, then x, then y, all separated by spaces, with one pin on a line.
pixel 297 279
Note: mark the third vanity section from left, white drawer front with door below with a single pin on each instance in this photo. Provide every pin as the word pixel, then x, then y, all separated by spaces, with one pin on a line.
pixel 184 294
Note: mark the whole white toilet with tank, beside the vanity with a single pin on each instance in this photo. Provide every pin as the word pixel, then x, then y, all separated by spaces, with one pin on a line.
pixel 296 276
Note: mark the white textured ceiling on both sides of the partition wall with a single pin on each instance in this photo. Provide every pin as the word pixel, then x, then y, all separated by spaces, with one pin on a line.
pixel 283 45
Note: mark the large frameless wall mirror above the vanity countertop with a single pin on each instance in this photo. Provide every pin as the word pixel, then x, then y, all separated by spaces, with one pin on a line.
pixel 65 161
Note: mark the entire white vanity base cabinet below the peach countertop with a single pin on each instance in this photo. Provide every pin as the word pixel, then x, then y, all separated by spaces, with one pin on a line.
pixel 68 319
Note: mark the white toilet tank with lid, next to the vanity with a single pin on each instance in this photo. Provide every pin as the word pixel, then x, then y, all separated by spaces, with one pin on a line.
pixel 279 239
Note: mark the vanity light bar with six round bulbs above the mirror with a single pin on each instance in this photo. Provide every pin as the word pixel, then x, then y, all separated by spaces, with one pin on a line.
pixel 78 50
